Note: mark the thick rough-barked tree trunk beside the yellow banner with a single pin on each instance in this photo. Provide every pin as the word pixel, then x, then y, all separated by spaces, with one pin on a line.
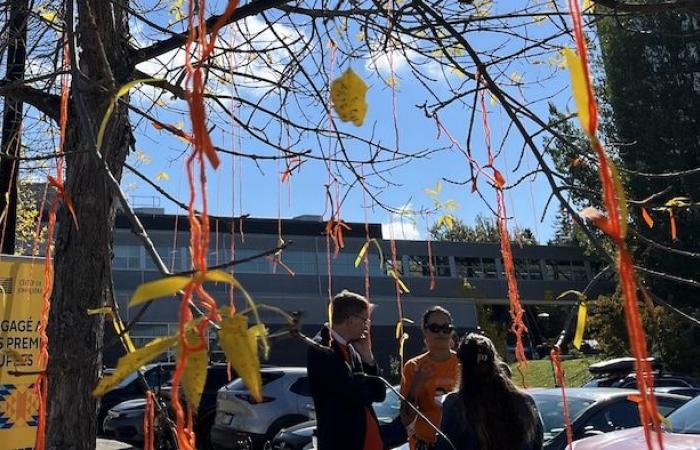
pixel 83 277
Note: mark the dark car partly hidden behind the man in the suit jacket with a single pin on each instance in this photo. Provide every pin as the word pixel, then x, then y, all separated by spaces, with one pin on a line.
pixel 392 430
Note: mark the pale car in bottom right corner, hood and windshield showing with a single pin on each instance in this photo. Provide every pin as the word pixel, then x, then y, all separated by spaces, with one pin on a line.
pixel 682 434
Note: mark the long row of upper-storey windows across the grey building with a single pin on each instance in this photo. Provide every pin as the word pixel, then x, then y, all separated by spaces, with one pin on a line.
pixel 311 263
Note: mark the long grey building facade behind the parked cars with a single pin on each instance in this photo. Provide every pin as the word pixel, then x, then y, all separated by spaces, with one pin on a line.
pixel 464 274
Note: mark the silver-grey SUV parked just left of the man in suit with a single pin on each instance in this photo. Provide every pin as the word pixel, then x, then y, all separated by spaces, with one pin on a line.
pixel 286 402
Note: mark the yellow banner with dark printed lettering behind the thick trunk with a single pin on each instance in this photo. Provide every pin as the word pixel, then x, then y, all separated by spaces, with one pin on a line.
pixel 21 285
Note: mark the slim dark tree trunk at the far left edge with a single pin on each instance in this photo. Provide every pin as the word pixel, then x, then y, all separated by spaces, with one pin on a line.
pixel 12 125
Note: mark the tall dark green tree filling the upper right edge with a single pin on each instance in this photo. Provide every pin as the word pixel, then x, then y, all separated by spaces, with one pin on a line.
pixel 651 63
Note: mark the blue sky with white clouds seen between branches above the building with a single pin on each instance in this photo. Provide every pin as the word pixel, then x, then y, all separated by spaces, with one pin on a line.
pixel 244 187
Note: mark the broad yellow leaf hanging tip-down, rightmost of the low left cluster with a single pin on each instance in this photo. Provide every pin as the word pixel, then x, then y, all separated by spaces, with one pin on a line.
pixel 241 350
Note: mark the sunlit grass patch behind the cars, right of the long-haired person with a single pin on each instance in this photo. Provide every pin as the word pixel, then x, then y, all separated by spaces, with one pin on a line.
pixel 540 373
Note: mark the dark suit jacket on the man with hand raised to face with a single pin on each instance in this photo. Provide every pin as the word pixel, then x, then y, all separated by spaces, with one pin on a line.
pixel 342 394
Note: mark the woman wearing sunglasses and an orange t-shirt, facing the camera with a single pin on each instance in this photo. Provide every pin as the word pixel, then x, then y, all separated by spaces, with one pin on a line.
pixel 428 376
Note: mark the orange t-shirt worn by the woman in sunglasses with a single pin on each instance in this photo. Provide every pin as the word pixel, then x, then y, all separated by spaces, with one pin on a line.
pixel 445 379
